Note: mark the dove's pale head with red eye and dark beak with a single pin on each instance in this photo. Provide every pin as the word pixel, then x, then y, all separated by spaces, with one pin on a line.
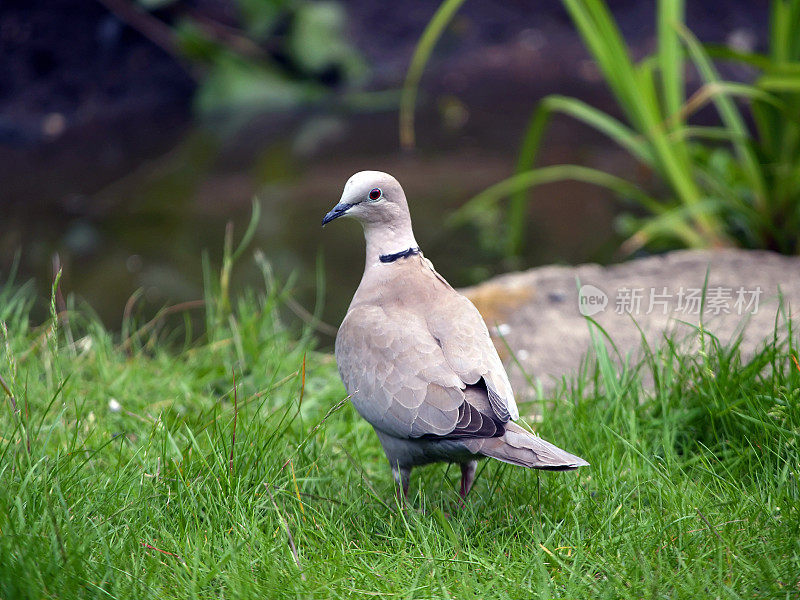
pixel 374 198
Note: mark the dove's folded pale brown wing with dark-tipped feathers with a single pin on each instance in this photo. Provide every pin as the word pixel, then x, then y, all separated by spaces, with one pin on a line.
pixel 402 382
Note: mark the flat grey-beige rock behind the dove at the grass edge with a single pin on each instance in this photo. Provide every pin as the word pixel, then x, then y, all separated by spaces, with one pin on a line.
pixel 538 310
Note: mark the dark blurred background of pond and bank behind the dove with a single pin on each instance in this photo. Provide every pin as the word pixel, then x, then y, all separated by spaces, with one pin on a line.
pixel 131 131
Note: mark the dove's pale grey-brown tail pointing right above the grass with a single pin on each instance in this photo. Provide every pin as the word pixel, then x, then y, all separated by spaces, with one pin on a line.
pixel 520 447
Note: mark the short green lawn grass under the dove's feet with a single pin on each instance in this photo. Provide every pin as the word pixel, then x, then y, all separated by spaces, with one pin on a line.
pixel 692 492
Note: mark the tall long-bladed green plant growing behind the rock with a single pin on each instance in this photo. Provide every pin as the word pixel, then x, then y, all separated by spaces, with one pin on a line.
pixel 727 184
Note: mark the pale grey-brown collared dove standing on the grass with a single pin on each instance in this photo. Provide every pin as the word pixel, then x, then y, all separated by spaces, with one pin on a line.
pixel 416 356
